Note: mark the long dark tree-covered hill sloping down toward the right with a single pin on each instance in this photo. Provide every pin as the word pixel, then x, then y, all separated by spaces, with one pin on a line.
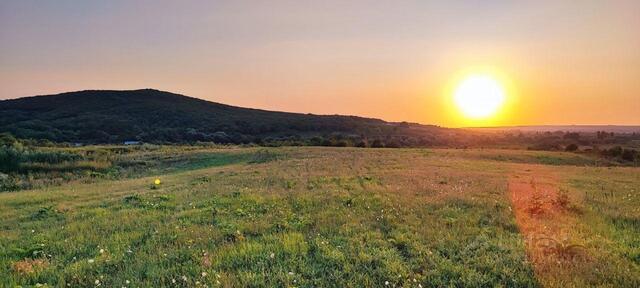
pixel 103 116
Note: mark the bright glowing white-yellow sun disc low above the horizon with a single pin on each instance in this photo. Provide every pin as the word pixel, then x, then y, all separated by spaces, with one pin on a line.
pixel 479 96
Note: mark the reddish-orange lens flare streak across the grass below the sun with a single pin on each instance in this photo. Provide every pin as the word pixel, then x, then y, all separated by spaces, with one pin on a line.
pixel 543 214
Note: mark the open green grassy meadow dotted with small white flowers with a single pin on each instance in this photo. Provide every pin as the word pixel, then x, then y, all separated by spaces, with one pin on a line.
pixel 330 217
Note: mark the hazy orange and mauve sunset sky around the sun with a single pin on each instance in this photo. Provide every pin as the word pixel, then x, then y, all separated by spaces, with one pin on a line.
pixel 564 62
